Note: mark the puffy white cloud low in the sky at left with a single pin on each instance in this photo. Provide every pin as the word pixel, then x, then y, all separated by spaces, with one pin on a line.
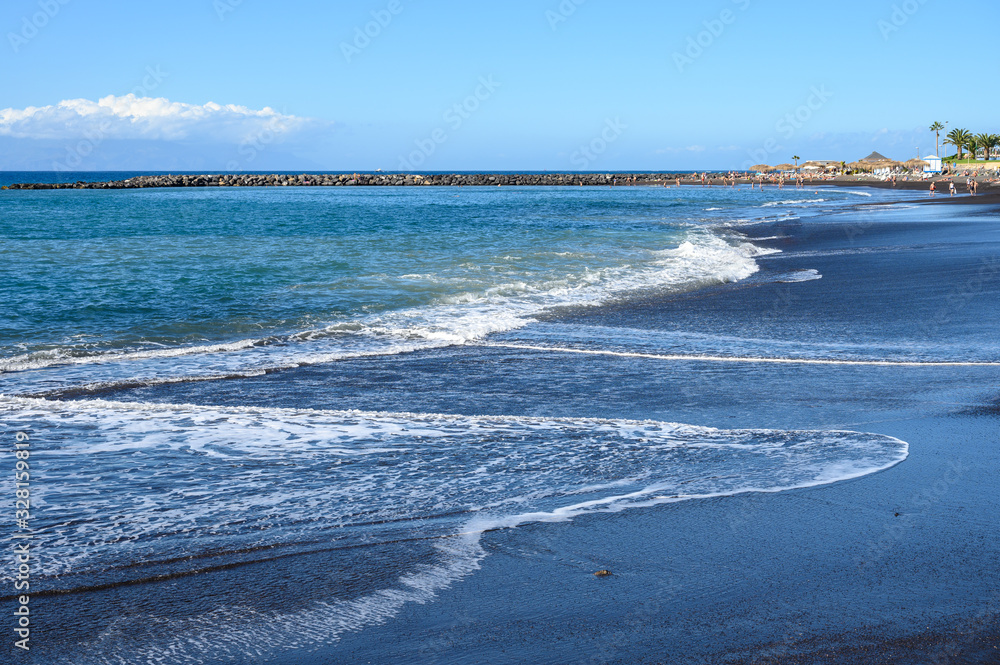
pixel 155 118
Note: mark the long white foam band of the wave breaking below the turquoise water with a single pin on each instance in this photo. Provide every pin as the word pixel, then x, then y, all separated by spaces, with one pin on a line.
pixel 458 318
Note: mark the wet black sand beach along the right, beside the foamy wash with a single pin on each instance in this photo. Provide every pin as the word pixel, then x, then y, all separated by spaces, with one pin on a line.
pixel 899 567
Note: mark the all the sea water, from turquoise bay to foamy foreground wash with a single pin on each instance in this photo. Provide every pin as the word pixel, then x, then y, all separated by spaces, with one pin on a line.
pixel 173 531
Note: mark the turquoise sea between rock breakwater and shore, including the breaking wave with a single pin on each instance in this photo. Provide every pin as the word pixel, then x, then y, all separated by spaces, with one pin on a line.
pixel 276 277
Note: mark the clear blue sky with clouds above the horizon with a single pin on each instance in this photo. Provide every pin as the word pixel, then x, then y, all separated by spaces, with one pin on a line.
pixel 448 85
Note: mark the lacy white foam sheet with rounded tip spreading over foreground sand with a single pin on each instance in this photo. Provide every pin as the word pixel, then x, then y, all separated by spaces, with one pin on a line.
pixel 400 471
